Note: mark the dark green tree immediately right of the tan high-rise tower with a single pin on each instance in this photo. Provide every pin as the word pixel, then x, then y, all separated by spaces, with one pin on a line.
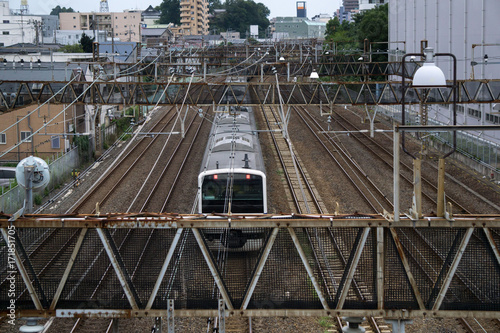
pixel 239 15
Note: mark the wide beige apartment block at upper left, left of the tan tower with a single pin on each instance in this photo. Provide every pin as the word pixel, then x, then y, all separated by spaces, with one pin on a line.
pixel 126 26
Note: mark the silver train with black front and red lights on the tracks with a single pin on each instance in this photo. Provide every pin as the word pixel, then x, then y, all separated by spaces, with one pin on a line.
pixel 232 178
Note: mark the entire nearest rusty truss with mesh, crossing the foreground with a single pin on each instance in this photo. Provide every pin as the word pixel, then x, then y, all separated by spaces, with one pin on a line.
pixel 300 265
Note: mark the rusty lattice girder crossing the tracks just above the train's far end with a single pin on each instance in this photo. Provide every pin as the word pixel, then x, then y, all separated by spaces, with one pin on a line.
pixel 14 94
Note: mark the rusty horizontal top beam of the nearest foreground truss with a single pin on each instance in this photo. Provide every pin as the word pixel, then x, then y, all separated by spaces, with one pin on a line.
pixel 175 221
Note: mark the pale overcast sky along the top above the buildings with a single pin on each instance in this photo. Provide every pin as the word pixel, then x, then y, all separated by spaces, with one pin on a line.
pixel 277 7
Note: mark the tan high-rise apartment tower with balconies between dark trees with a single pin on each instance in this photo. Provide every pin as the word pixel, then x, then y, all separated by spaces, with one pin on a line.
pixel 194 17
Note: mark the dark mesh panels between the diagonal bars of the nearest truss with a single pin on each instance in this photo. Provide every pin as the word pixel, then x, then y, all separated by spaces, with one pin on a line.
pixel 284 282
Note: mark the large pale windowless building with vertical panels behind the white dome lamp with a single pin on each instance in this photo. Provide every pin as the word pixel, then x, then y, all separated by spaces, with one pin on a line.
pixel 466 28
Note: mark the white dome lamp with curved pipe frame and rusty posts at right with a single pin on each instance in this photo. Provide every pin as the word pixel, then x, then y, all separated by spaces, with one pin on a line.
pixel 428 76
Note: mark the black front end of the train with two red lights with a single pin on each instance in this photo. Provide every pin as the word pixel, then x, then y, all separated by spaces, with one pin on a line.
pixel 247 193
